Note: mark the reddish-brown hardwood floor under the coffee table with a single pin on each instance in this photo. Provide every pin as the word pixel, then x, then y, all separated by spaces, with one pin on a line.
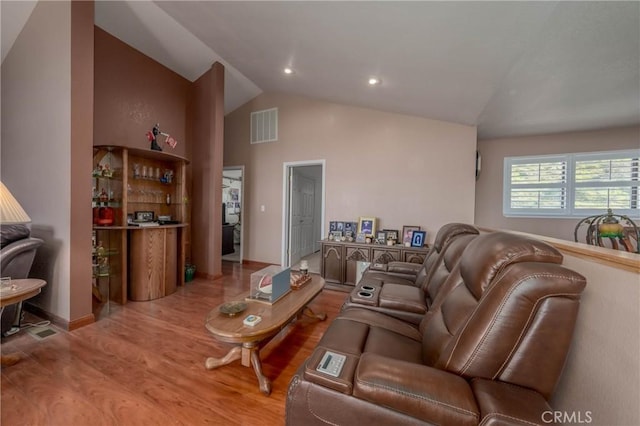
pixel 144 365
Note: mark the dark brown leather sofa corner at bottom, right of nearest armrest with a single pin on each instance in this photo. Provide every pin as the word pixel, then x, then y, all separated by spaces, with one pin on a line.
pixel 506 404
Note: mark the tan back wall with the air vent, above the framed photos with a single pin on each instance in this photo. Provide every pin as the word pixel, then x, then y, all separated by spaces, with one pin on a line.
pixel 404 170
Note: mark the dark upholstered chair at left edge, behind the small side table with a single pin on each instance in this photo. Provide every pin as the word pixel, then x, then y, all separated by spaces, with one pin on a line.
pixel 17 252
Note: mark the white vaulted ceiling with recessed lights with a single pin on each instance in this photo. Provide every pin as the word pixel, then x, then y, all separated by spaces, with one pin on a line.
pixel 511 68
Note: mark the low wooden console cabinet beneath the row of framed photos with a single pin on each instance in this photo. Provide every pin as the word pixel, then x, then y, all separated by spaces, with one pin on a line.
pixel 339 259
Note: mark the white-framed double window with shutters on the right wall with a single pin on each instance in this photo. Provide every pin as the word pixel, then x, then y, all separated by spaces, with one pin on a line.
pixel 572 184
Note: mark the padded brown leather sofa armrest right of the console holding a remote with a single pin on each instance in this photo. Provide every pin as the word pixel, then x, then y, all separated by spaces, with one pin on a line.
pixel 423 392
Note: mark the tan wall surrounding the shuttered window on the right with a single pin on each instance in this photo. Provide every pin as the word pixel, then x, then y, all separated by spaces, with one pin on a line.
pixel 489 187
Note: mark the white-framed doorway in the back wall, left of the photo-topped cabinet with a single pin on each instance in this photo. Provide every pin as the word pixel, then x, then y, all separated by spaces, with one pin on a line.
pixel 303 207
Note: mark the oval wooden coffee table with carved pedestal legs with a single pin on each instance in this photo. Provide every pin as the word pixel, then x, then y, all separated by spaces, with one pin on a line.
pixel 248 340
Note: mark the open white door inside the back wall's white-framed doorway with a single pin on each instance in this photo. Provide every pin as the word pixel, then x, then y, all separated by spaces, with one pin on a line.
pixel 301 214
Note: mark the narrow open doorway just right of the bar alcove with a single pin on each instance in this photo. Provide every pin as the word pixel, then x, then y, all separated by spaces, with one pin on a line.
pixel 232 208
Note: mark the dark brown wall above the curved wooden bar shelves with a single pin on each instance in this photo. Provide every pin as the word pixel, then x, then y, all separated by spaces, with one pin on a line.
pixel 132 93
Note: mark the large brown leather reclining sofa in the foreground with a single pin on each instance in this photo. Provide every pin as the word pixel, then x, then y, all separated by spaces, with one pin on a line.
pixel 489 348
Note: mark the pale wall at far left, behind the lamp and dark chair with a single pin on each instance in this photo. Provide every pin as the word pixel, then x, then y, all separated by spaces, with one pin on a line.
pixel 36 138
